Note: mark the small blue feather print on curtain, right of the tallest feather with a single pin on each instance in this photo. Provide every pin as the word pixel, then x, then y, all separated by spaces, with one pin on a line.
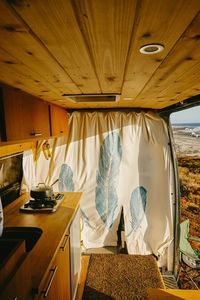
pixel 137 207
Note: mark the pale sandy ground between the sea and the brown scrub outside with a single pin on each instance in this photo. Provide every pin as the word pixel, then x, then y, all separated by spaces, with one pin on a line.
pixel 186 145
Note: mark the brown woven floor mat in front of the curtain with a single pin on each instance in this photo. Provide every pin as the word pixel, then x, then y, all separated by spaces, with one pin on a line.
pixel 121 277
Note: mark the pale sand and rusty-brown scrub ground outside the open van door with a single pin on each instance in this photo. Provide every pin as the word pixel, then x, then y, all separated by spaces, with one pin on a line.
pixel 188 155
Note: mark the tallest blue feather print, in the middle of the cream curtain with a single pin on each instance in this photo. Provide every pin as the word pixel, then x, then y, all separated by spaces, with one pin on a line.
pixel 109 162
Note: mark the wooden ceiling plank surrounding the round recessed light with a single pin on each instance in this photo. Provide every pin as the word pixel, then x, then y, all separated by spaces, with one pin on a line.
pixel 161 22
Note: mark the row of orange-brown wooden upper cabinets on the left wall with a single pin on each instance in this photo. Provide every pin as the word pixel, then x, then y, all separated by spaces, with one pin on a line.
pixel 25 117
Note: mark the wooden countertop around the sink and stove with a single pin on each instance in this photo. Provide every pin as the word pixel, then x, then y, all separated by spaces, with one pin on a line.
pixel 54 226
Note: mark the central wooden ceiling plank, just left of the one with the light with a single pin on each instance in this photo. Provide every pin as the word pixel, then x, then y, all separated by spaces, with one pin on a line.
pixel 107 27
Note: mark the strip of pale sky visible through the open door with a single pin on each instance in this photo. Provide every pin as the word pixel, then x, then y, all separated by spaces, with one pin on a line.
pixel 191 115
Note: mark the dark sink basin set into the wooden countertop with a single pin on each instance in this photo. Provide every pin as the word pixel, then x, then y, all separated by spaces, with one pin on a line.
pixel 30 234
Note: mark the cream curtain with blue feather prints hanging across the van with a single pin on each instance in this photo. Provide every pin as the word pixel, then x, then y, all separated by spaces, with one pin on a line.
pixel 117 160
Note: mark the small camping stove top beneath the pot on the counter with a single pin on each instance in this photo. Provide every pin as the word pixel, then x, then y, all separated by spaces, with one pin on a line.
pixel 42 205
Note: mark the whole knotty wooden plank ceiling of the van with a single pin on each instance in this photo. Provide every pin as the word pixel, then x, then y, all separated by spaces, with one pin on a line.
pixel 49 48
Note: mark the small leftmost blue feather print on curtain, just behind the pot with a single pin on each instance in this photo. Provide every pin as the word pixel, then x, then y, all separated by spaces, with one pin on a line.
pixel 66 183
